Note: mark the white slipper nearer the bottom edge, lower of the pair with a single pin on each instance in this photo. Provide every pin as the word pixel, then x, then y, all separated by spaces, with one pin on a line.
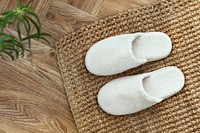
pixel 134 93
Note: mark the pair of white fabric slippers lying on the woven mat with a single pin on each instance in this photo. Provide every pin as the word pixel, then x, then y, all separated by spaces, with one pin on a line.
pixel 131 94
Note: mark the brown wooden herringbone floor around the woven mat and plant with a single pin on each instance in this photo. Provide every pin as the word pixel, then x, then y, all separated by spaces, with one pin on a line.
pixel 32 96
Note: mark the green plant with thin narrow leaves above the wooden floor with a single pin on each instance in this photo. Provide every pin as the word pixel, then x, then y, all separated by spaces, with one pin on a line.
pixel 22 17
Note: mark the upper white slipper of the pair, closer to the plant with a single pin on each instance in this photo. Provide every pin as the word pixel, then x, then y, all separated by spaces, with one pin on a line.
pixel 120 53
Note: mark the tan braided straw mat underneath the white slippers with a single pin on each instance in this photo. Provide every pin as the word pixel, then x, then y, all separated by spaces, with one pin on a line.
pixel 180 19
